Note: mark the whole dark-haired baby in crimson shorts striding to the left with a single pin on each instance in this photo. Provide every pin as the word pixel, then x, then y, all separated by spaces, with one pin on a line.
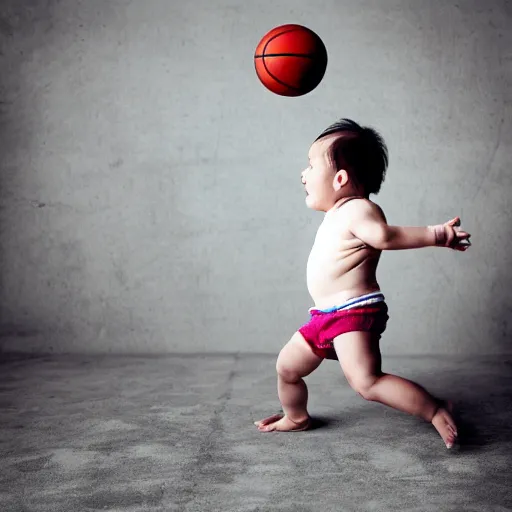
pixel 347 163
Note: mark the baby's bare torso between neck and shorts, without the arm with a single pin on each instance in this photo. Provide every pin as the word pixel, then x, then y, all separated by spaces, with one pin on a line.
pixel 341 266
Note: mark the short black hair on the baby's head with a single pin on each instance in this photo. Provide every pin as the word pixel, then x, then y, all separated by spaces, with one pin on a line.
pixel 362 151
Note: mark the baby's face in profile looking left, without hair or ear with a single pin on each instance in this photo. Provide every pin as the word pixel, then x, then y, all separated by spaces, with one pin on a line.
pixel 318 177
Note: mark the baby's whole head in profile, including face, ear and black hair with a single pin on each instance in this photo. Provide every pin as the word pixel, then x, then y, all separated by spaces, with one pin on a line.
pixel 345 160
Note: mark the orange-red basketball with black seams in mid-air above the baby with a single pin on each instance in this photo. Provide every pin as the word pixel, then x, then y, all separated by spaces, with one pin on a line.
pixel 290 60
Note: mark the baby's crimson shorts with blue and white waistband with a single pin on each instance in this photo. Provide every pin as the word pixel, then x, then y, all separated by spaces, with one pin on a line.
pixel 321 330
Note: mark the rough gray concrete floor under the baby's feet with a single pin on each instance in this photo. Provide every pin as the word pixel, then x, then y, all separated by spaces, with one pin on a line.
pixel 176 433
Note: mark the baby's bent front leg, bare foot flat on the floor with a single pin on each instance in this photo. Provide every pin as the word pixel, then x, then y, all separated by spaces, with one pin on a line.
pixel 296 360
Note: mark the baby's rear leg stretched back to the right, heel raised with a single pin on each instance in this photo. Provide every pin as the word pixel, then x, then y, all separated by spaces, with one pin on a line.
pixel 360 359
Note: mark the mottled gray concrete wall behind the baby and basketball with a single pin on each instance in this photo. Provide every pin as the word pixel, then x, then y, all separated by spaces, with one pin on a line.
pixel 150 197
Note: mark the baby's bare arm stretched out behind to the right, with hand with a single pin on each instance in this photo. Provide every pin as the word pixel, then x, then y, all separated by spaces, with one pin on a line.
pixel 371 228
